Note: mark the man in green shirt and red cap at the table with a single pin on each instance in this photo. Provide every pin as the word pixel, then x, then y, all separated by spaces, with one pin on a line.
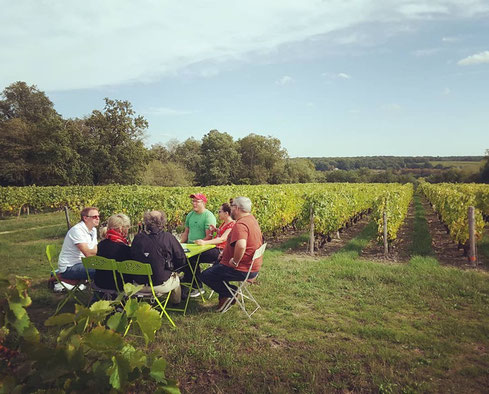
pixel 197 225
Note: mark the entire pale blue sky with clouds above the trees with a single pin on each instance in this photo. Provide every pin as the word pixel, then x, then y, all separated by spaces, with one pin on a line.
pixel 328 78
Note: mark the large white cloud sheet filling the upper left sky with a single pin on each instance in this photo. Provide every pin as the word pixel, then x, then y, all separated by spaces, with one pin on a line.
pixel 64 45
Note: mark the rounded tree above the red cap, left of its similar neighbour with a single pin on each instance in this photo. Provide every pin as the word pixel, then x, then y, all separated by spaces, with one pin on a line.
pixel 220 161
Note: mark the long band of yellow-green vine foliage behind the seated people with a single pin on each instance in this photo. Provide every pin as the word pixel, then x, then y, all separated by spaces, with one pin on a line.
pixel 275 206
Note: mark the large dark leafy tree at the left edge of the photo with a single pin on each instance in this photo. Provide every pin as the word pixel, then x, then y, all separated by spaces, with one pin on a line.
pixel 36 146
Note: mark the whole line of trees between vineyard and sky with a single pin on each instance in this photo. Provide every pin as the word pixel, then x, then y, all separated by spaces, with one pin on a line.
pixel 41 147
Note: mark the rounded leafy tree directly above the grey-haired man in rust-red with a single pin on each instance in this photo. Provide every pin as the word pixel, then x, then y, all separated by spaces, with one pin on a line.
pixel 262 160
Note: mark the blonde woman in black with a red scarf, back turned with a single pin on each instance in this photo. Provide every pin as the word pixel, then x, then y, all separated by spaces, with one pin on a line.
pixel 114 246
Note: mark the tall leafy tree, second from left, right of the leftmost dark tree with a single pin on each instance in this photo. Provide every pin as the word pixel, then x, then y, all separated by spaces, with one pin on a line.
pixel 116 135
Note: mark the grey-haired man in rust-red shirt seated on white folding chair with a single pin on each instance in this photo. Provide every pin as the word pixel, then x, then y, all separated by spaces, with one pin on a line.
pixel 245 238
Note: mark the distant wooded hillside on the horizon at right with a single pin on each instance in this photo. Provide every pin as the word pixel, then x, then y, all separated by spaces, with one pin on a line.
pixel 395 162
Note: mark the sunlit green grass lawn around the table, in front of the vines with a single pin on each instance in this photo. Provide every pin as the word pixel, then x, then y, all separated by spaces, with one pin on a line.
pixel 332 324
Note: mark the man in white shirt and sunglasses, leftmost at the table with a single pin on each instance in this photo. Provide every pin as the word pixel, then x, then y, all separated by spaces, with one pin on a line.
pixel 80 241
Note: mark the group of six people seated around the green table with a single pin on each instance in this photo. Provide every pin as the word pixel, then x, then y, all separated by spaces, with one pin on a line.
pixel 236 240
